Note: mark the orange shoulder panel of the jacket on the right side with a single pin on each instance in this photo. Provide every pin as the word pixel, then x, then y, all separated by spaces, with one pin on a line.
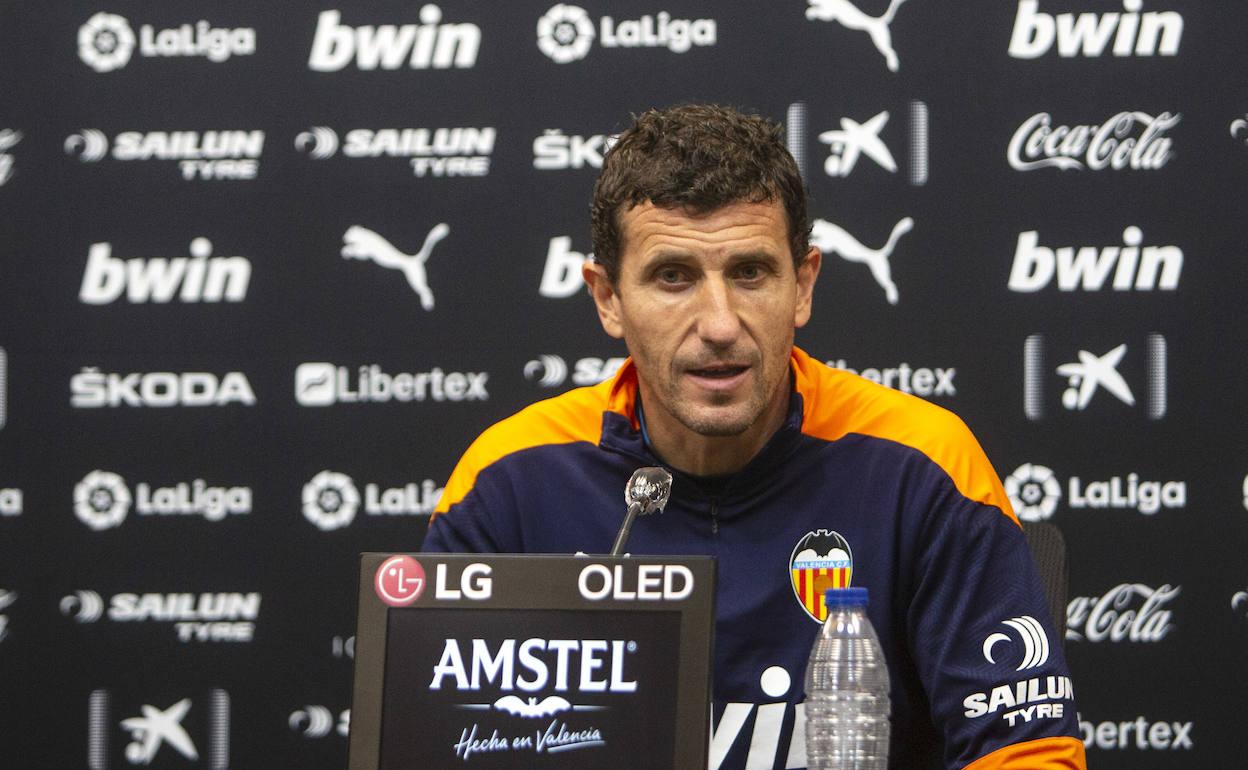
pixel 838 404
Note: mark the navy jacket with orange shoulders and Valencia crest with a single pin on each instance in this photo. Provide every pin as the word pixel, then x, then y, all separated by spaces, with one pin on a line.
pixel 862 486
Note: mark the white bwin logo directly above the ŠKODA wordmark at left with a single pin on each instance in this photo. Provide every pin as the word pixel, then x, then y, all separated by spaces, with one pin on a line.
pixel 195 279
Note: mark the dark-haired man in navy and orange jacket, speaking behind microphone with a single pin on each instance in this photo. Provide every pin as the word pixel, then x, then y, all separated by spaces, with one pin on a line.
pixel 703 268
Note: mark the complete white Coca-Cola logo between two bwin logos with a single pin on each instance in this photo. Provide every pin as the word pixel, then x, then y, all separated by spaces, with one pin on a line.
pixel 1129 140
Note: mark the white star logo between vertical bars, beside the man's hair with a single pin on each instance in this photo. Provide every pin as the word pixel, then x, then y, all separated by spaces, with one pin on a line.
pixel 858 139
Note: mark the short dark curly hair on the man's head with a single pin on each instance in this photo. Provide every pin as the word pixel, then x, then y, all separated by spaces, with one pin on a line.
pixel 702 158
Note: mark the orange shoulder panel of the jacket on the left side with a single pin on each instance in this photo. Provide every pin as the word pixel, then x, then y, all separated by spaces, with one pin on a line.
pixel 576 416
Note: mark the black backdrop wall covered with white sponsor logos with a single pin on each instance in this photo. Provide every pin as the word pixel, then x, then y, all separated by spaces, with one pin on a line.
pixel 266 271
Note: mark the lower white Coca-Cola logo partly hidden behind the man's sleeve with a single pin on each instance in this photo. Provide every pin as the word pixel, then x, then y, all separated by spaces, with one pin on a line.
pixel 1131 612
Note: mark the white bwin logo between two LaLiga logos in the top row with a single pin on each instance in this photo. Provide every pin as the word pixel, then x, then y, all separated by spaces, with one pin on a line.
pixel 429 46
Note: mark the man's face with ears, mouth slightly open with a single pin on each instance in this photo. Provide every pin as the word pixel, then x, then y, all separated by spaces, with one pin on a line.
pixel 708 305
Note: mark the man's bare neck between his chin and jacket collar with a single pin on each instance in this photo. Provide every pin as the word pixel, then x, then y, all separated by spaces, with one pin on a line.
pixel 698 455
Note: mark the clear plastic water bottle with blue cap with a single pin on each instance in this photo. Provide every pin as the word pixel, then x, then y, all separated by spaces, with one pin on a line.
pixel 847 690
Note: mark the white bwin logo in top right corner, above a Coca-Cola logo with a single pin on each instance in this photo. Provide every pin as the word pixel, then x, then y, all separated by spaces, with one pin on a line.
pixel 1134 34
